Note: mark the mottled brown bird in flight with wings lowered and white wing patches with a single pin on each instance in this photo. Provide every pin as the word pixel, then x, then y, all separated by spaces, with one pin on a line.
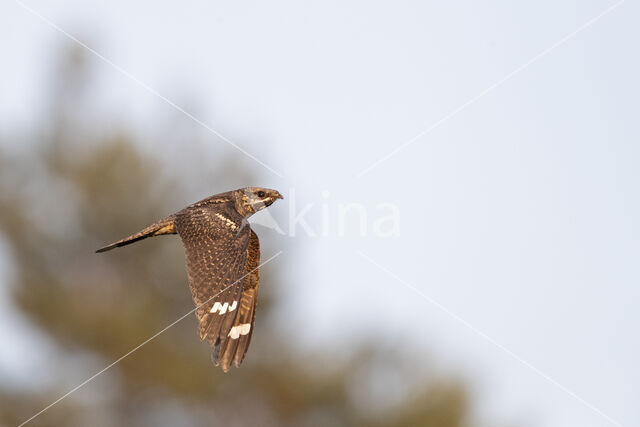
pixel 222 257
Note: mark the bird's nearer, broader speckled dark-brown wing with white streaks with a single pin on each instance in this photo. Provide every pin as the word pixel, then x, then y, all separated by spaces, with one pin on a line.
pixel 217 253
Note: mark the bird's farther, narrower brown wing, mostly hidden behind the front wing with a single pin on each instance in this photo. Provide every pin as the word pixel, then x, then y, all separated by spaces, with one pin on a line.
pixel 235 349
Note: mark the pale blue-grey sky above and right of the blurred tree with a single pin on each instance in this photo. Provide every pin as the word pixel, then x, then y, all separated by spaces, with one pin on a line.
pixel 518 212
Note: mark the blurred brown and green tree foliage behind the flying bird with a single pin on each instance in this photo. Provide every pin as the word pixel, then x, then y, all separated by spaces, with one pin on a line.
pixel 68 190
